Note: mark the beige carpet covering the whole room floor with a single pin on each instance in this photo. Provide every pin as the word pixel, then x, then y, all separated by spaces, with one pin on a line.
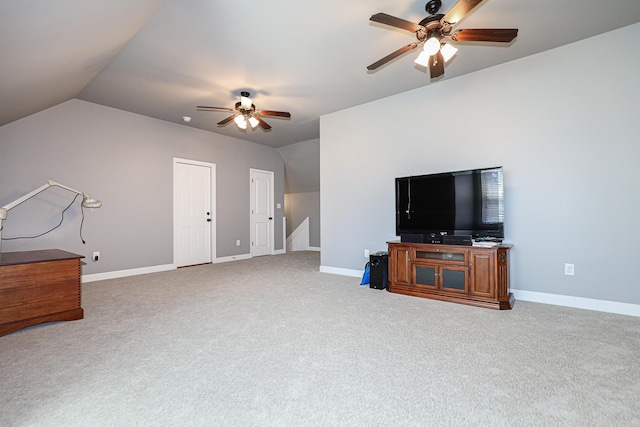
pixel 272 342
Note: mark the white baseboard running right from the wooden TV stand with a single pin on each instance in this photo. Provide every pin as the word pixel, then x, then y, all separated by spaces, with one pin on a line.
pixel 578 302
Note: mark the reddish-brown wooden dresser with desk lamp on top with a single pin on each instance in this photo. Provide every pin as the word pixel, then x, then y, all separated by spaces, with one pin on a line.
pixel 37 287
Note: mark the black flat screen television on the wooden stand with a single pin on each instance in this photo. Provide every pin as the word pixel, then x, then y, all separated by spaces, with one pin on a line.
pixel 466 203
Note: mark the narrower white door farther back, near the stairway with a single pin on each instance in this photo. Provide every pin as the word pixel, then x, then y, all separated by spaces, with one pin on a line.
pixel 261 212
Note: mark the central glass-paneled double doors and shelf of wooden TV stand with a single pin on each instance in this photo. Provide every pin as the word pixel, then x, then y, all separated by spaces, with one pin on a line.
pixel 441 270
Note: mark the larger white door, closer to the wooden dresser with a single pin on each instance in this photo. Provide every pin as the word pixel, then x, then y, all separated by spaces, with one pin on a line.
pixel 194 216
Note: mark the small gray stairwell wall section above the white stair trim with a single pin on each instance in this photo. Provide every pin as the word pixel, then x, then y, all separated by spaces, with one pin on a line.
pixel 299 206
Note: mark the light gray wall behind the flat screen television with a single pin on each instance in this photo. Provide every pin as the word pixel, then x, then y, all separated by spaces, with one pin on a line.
pixel 563 124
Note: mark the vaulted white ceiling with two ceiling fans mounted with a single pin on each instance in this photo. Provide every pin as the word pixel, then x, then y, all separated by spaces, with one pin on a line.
pixel 162 58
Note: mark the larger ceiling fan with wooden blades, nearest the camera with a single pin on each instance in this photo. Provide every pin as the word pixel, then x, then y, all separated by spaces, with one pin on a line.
pixel 436 30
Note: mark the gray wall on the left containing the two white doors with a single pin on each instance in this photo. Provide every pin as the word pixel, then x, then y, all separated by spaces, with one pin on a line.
pixel 126 160
